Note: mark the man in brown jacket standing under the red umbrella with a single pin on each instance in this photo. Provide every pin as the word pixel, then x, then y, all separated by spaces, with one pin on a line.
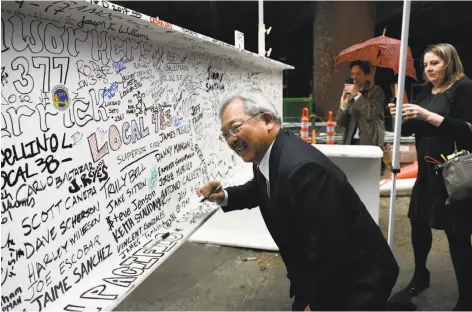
pixel 361 108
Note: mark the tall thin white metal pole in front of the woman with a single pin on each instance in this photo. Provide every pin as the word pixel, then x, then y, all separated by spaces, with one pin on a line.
pixel 398 118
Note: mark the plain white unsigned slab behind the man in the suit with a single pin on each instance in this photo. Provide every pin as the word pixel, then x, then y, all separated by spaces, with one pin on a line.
pixel 246 228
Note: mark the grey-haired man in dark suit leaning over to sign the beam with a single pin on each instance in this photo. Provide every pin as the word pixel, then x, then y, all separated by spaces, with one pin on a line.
pixel 335 254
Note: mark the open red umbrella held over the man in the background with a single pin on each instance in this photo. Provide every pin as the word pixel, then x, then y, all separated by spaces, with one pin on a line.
pixel 380 51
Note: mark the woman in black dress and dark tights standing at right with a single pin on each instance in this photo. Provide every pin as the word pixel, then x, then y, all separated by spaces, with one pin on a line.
pixel 441 119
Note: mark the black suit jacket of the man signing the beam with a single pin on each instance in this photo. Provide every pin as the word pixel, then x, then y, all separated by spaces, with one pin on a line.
pixel 335 254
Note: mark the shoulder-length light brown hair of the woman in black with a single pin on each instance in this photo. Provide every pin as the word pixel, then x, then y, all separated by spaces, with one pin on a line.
pixel 453 69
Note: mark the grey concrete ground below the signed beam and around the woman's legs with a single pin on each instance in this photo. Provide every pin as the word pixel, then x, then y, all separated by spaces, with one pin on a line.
pixel 203 277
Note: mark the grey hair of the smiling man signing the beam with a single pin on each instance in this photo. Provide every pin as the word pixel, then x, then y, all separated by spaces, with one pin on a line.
pixel 254 103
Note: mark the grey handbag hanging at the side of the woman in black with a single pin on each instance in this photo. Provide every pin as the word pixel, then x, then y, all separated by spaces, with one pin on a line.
pixel 457 174
